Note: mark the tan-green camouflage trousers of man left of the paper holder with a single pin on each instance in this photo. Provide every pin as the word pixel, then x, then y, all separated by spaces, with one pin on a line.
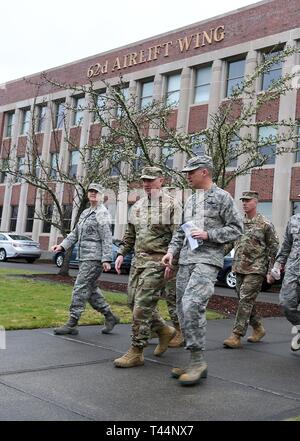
pixel 144 288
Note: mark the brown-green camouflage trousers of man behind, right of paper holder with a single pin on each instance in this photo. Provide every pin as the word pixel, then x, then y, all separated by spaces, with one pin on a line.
pixel 248 286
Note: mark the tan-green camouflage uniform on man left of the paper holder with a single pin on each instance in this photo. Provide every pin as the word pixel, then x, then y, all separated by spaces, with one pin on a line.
pixel 149 231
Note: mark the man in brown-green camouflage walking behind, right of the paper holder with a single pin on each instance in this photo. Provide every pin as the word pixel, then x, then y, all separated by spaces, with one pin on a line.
pixel 255 253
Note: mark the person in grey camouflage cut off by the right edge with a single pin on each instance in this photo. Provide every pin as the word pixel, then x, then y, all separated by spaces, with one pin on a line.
pixel 289 258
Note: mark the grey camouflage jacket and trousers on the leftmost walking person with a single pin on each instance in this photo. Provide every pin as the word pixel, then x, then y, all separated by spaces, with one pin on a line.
pixel 94 238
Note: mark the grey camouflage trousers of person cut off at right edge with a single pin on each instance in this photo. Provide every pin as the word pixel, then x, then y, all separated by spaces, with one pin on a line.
pixel 290 298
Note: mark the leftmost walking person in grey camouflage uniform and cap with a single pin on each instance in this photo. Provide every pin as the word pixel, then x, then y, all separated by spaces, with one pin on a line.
pixel 93 234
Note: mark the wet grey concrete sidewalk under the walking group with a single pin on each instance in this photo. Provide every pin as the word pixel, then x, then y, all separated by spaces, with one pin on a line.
pixel 47 377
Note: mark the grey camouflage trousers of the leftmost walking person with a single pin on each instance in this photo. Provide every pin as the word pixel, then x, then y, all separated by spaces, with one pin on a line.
pixel 87 290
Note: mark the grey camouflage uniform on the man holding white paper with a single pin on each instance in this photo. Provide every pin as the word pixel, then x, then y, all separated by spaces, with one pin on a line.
pixel 198 269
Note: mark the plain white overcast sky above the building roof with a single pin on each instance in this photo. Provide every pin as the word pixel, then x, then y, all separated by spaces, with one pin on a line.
pixel 37 35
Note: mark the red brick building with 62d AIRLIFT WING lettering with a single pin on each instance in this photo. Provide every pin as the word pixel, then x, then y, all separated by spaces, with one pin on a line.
pixel 197 64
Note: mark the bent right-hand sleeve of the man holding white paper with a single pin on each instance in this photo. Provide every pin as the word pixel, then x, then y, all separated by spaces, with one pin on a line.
pixel 233 223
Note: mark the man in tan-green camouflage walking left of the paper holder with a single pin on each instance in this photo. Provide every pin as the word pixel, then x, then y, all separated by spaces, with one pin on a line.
pixel 149 231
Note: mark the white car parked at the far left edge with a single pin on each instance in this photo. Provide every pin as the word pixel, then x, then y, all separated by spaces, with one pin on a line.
pixel 17 246
